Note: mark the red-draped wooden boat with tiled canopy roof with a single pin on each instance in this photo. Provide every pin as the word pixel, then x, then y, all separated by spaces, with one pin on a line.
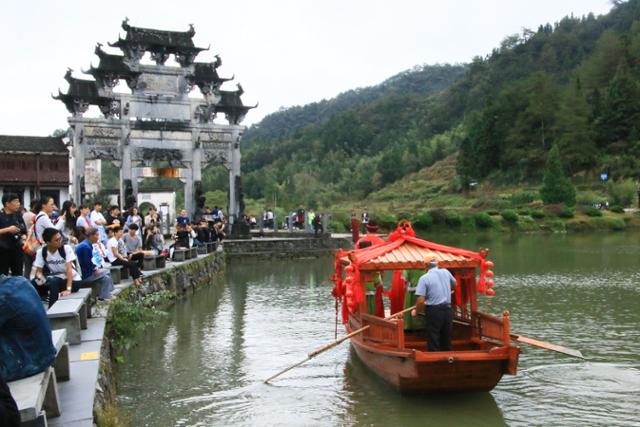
pixel 482 350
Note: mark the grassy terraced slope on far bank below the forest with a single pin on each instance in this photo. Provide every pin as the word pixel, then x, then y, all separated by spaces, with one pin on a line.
pixel 432 200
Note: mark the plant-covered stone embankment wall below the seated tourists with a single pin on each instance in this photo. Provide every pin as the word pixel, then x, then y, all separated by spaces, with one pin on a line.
pixel 178 281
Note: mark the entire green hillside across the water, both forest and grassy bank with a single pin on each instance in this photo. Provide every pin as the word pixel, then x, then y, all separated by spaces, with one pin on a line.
pixel 472 139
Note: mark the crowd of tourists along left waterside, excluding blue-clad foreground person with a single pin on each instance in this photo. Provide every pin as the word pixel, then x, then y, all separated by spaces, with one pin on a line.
pixel 56 249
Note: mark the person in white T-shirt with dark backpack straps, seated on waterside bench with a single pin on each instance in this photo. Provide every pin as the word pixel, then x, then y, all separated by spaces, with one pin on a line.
pixel 55 267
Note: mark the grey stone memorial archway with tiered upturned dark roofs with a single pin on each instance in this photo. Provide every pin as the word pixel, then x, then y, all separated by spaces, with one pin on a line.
pixel 157 129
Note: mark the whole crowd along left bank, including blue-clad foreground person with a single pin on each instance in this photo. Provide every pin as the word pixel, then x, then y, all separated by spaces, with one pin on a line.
pixel 46 253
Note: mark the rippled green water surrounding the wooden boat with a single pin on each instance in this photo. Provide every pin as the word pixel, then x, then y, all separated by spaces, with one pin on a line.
pixel 204 364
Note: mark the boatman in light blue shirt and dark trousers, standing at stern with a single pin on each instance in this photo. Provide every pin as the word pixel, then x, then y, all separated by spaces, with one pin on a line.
pixel 434 294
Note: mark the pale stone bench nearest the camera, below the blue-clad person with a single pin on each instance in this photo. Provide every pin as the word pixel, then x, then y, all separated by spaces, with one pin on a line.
pixel 34 393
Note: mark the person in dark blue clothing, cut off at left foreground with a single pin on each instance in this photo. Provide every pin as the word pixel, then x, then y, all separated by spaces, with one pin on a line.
pixel 25 334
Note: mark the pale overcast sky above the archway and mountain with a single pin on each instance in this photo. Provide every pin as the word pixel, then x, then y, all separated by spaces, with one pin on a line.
pixel 284 53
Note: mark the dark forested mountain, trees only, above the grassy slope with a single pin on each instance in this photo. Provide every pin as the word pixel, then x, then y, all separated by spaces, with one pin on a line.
pixel 574 84
